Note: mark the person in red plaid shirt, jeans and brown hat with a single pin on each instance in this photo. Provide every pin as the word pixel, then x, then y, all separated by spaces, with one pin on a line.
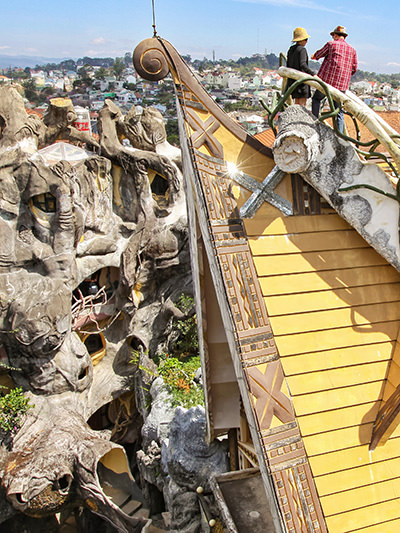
pixel 340 63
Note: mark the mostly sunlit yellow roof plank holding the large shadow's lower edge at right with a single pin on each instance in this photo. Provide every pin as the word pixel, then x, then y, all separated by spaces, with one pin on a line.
pixel 336 338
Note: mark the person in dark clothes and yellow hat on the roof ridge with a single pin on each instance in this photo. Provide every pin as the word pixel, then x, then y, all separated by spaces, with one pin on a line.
pixel 297 58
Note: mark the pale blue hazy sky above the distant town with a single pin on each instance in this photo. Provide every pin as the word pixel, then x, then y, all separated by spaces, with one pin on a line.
pixel 232 28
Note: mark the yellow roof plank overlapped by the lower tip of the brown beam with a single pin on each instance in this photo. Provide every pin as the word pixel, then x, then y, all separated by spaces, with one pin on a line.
pixel 353 457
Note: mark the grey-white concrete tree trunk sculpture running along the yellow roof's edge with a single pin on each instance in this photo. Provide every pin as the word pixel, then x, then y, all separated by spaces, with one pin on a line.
pixel 361 192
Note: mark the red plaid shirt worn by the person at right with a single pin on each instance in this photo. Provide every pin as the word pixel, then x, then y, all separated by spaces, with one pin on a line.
pixel 339 65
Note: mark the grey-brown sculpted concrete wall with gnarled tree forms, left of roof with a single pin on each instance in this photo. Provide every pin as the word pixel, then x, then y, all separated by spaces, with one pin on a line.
pixel 93 257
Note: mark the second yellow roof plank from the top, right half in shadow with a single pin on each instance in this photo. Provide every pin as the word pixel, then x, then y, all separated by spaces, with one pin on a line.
pixel 307 242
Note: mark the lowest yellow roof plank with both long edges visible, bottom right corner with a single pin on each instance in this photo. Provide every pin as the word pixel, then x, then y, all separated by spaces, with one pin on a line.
pixel 362 518
